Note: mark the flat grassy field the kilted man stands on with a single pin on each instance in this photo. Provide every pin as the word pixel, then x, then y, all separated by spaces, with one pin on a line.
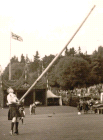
pixel 54 123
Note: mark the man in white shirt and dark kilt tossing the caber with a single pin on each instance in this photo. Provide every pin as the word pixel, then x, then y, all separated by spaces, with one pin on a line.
pixel 13 113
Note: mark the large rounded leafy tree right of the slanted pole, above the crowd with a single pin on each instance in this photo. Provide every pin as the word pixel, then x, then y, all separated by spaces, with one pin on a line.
pixel 72 72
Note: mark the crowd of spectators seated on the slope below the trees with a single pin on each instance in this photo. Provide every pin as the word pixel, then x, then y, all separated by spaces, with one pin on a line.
pixel 93 92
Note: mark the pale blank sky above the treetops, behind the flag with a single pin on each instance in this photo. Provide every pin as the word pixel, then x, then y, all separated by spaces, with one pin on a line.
pixel 47 25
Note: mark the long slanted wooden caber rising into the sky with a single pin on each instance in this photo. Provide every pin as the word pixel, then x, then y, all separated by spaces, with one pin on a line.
pixel 48 67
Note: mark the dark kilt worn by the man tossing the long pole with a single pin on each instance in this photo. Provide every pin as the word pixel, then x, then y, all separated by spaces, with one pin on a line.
pixel 13 111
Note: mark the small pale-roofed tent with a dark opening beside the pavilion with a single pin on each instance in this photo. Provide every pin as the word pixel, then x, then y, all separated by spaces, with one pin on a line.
pixel 53 99
